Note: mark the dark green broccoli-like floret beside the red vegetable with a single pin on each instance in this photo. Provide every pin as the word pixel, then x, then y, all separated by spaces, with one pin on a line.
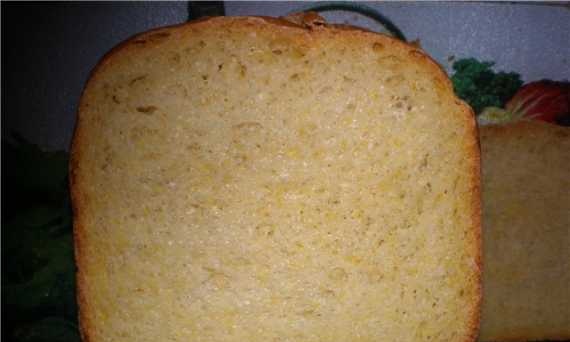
pixel 477 84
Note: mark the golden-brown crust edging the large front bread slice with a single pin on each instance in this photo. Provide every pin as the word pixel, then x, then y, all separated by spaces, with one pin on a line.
pixel 311 24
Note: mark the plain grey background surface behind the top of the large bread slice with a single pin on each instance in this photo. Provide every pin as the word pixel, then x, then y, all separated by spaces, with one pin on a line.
pixel 48 49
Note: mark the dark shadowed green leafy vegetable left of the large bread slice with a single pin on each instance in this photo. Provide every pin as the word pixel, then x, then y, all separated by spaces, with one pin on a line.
pixel 38 269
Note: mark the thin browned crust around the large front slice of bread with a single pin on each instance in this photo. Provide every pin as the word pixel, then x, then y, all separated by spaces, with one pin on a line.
pixel 312 28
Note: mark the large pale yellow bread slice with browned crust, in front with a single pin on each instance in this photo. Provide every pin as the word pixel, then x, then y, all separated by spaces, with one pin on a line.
pixel 248 179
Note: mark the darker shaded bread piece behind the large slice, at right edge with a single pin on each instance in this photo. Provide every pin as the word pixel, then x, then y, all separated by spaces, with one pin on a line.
pixel 526 218
